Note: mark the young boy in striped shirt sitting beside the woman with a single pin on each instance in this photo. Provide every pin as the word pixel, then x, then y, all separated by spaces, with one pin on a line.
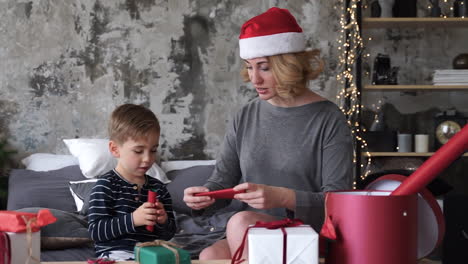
pixel 118 209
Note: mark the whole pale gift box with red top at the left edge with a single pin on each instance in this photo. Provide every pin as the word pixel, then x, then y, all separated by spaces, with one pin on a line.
pixel 22 231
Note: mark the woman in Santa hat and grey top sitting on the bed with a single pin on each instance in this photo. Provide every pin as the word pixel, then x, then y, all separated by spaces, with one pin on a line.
pixel 286 147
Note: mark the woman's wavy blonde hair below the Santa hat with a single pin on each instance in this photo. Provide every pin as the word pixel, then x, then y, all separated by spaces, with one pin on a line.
pixel 292 71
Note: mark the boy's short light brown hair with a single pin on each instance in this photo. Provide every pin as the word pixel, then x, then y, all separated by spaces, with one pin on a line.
pixel 132 121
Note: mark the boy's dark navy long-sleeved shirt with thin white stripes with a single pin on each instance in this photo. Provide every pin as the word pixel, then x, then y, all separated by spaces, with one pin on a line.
pixel 112 202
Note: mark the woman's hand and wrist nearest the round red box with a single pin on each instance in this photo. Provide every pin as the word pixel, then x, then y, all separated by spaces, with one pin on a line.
pixel 262 196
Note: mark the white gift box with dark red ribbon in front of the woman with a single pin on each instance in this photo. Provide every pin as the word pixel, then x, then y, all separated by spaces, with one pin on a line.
pixel 285 245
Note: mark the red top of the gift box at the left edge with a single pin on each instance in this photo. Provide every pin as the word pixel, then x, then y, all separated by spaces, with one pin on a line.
pixel 17 222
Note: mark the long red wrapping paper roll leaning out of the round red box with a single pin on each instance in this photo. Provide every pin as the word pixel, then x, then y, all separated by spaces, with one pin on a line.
pixel 432 167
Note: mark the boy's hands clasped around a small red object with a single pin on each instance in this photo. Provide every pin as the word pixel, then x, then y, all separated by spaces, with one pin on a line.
pixel 149 214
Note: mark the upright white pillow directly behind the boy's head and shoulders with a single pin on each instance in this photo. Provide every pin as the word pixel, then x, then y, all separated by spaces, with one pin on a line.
pixel 95 158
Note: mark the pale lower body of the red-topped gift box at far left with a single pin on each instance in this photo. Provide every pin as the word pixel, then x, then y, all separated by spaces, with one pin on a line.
pixel 26 248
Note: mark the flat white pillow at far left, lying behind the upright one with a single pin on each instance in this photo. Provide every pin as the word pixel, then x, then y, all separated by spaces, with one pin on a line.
pixel 48 161
